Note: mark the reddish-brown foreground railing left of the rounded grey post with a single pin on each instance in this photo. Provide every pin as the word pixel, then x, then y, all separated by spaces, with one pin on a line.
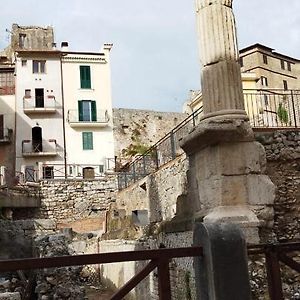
pixel 158 258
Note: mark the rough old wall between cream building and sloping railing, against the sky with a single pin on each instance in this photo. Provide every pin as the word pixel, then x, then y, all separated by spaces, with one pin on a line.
pixel 138 129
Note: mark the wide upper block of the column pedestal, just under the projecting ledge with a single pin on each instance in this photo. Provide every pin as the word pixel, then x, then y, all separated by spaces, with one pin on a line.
pixel 231 159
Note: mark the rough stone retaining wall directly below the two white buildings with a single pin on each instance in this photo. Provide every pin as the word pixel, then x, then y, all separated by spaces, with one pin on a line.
pixel 69 200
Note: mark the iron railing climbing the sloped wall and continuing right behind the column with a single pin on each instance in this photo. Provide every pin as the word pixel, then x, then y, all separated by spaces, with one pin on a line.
pixel 265 109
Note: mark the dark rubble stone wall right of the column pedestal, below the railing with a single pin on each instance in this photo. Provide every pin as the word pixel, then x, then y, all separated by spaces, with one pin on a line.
pixel 283 167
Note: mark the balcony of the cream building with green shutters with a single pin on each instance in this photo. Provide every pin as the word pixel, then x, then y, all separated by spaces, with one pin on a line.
pixel 101 119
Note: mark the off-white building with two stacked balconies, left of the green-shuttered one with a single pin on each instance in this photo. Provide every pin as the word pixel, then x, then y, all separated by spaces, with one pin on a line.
pixel 39 114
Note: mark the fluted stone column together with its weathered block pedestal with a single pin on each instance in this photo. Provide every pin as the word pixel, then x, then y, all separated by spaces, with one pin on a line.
pixel 226 176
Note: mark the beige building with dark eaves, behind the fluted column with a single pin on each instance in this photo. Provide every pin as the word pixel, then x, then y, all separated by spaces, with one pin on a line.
pixel 271 88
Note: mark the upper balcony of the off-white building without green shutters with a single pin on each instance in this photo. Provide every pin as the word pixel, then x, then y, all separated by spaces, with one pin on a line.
pixel 39 106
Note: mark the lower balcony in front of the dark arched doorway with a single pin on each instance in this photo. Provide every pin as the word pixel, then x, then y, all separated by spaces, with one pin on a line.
pixel 39 148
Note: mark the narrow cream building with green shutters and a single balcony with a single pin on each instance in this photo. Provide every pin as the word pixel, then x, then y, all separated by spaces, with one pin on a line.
pixel 88 112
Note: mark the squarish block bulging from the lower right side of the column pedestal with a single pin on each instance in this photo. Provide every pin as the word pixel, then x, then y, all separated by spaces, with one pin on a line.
pixel 261 190
